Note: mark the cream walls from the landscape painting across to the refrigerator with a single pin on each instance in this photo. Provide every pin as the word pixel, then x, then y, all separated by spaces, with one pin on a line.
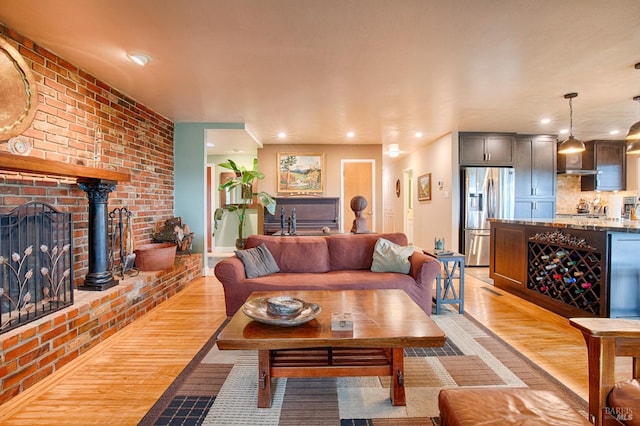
pixel 437 217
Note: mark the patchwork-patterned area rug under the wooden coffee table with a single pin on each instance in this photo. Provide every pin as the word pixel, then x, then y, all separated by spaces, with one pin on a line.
pixel 220 387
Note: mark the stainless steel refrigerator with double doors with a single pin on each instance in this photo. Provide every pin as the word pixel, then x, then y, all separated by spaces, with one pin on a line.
pixel 488 193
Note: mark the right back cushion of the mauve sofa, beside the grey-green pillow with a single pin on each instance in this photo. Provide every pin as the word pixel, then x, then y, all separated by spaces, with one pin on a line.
pixel 355 251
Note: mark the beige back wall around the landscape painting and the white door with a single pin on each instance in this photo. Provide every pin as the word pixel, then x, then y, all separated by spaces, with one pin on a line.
pixel 334 154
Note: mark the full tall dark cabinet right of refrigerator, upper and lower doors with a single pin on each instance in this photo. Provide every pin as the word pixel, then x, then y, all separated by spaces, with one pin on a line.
pixel 535 176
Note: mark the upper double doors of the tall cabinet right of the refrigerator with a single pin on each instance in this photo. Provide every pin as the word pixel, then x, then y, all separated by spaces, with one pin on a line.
pixel 535 166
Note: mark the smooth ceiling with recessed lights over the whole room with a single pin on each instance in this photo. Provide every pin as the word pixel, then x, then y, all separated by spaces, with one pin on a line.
pixel 384 69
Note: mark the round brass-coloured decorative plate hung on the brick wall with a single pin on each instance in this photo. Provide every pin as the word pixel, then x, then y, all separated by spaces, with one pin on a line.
pixel 18 91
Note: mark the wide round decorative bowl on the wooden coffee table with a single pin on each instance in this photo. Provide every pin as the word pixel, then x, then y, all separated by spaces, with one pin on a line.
pixel 258 309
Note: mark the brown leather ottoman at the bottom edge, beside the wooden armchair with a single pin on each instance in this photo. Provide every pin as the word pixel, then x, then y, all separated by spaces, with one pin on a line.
pixel 504 406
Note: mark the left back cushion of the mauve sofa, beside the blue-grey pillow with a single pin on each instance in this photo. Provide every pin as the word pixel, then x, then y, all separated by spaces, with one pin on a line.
pixel 295 254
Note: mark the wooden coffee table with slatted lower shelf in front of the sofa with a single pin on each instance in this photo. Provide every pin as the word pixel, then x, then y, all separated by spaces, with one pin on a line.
pixel 384 323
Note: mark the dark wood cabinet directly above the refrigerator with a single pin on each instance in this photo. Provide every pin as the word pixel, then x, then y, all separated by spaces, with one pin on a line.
pixel 487 149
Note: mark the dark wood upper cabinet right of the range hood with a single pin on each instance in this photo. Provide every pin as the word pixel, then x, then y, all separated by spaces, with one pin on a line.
pixel 609 158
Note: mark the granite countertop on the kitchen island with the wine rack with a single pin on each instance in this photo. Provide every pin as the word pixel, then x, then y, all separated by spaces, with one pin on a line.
pixel 585 223
